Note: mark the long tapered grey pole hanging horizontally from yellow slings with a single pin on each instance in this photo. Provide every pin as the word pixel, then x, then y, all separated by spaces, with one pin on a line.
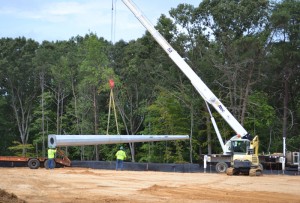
pixel 81 140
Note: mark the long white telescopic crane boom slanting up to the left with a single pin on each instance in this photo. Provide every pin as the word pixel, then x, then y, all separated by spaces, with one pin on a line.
pixel 199 85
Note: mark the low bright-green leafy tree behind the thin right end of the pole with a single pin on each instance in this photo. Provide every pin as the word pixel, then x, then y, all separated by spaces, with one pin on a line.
pixel 166 116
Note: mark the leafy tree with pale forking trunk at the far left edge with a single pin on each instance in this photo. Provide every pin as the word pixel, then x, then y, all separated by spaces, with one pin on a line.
pixel 20 78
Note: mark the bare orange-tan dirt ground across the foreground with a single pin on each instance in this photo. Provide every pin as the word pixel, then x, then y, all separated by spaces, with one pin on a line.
pixel 92 185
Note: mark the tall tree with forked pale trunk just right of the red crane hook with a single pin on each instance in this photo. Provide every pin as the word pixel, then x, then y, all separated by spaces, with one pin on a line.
pixel 137 85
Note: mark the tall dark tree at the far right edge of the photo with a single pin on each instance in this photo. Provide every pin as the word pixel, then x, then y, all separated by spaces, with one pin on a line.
pixel 285 57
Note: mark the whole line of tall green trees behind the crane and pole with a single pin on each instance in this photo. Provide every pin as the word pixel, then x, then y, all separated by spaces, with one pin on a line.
pixel 247 52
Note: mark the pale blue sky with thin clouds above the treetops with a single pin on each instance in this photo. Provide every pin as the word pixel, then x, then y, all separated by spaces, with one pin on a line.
pixel 62 19
